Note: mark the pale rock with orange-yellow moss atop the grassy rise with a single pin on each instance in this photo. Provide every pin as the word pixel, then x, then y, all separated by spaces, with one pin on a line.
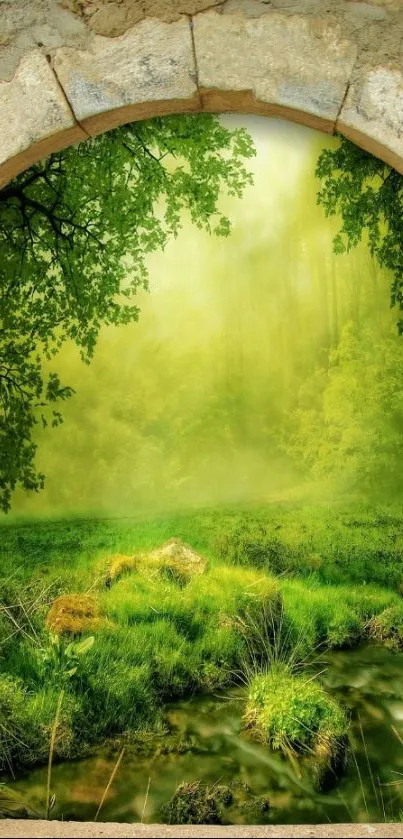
pixel 174 560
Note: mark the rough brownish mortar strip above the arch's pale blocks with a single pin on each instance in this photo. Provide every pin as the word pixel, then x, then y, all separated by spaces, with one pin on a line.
pixel 376 26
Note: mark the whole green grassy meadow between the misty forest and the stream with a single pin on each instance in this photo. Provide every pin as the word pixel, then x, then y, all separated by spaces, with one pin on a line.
pixel 281 580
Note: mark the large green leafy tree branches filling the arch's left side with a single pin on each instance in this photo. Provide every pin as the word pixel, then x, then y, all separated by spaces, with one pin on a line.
pixel 75 231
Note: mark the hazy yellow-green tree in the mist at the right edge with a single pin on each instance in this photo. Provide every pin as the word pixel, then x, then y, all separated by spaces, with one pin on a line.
pixel 348 425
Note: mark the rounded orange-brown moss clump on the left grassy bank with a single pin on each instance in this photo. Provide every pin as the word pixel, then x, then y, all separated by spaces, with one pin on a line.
pixel 73 614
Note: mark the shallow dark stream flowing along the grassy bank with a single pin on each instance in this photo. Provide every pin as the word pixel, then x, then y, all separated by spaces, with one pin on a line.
pixel 209 745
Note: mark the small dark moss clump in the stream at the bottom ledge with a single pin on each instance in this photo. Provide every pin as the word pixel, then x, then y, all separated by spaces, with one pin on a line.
pixel 193 803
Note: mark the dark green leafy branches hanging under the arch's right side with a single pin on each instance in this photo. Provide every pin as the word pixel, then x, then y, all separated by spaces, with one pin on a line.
pixel 368 195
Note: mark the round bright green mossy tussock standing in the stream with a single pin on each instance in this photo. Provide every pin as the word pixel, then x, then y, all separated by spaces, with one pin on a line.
pixel 295 715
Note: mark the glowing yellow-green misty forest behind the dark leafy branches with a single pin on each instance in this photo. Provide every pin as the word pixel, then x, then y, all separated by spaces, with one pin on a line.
pixel 263 366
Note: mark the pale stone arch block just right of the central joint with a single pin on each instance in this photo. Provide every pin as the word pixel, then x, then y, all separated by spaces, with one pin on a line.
pixel 284 60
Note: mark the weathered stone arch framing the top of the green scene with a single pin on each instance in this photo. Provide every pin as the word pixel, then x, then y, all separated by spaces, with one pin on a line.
pixel 75 68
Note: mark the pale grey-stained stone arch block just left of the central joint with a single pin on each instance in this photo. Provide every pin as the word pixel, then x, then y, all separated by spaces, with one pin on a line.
pixel 152 63
